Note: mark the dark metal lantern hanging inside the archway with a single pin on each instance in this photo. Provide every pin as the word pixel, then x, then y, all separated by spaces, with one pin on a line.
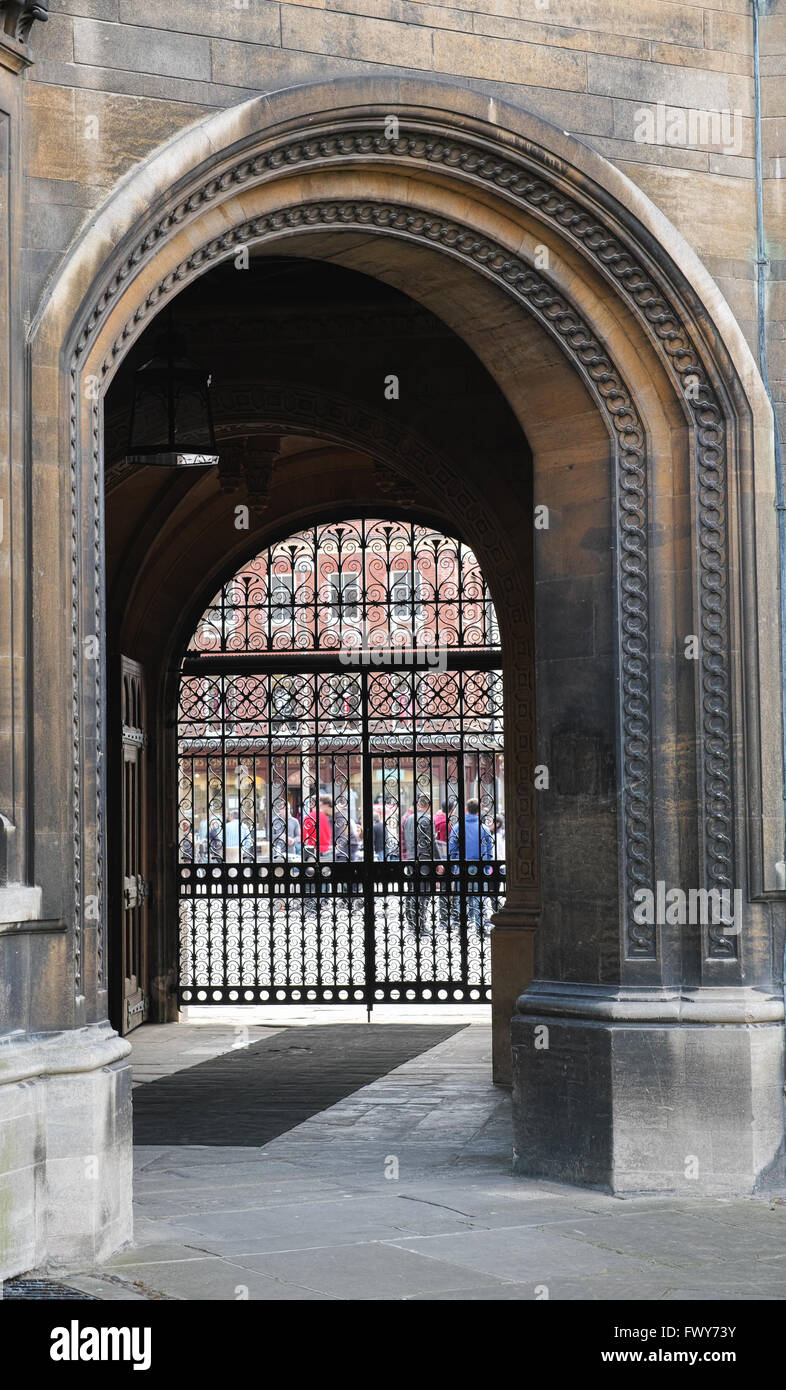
pixel 172 422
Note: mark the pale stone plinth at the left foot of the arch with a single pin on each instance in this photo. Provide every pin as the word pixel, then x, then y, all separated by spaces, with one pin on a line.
pixel 66 1167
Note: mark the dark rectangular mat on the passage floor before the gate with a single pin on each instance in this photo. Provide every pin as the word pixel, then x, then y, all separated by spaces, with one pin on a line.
pixel 251 1096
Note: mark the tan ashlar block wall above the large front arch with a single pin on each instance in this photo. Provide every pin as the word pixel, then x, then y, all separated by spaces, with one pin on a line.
pixel 664 91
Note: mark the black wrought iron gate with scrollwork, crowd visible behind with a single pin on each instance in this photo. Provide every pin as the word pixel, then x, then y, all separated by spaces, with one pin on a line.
pixel 342 806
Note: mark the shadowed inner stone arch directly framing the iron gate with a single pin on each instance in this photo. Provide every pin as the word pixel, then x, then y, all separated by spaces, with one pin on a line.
pixel 399 476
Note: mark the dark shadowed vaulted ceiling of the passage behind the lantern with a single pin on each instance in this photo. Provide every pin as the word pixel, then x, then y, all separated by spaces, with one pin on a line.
pixel 300 352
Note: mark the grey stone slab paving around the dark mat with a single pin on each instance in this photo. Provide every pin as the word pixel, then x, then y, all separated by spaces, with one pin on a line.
pixel 400 1192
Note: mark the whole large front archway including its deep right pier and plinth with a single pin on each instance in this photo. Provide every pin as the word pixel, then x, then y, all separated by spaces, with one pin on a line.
pixel 652 447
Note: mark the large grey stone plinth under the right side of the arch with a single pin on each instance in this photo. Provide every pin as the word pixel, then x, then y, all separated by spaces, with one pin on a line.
pixel 649 1090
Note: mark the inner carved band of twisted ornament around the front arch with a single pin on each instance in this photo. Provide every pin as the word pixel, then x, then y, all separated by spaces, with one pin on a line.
pixel 616 401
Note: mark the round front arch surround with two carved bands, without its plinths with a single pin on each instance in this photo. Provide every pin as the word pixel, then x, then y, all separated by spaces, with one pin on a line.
pixel 486 187
